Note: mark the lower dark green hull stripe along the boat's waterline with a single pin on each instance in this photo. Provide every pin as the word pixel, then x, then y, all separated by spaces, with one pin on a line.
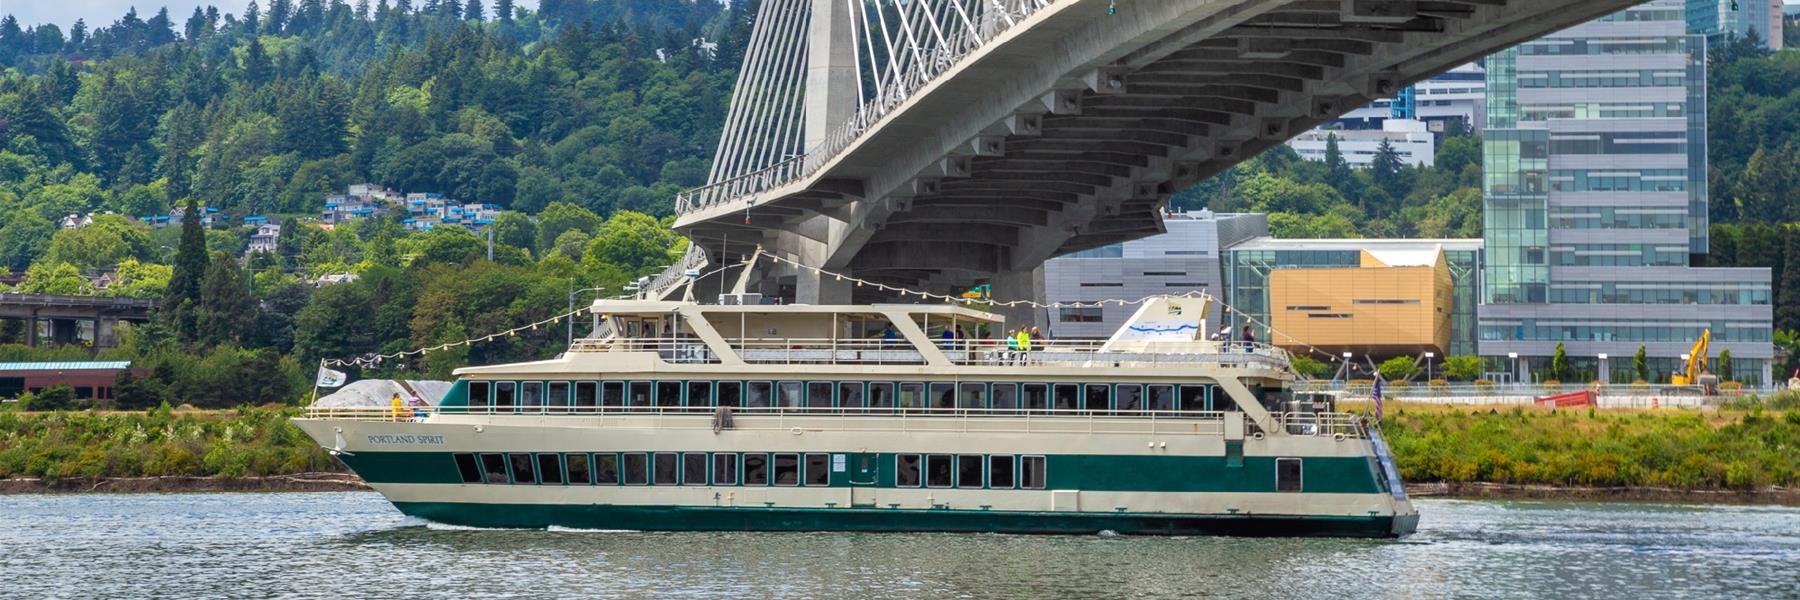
pixel 879 520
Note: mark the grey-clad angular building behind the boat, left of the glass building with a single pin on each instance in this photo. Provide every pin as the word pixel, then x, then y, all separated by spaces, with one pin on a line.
pixel 1185 259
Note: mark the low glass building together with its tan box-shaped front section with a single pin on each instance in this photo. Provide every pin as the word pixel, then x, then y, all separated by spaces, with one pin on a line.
pixel 1378 298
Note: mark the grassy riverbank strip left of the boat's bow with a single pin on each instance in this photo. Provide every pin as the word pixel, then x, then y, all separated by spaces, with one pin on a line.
pixel 163 442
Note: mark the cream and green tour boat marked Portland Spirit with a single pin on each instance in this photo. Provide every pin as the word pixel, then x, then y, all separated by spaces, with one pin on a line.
pixel 678 415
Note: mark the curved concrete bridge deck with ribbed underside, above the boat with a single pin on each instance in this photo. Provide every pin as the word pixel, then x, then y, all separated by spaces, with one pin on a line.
pixel 1072 134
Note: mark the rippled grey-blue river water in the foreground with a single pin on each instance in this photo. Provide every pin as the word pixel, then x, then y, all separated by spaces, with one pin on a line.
pixel 359 547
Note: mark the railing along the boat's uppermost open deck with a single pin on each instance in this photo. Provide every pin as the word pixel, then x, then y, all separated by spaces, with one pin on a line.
pixel 967 352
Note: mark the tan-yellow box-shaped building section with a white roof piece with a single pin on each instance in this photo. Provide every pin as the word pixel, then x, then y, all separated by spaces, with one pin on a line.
pixel 1392 304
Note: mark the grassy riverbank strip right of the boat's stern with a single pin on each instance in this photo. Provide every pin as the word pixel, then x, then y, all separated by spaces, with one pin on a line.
pixel 1578 448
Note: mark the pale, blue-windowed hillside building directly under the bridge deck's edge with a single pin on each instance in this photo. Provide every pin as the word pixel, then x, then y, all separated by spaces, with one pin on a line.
pixel 1459 95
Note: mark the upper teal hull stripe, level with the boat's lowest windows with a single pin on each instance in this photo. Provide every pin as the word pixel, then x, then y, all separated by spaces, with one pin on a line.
pixel 1063 471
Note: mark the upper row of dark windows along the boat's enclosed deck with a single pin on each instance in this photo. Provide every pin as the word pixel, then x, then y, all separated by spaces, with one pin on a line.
pixel 849 395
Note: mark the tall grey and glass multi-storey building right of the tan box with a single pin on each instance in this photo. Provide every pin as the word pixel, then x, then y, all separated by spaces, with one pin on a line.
pixel 1596 206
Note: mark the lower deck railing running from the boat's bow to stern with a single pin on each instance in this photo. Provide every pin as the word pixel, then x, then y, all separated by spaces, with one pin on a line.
pixel 802 421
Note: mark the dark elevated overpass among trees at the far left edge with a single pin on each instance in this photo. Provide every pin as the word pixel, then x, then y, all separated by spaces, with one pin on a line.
pixel 66 314
